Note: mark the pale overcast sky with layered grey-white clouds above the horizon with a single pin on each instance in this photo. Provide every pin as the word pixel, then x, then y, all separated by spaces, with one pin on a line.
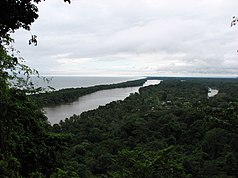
pixel 133 38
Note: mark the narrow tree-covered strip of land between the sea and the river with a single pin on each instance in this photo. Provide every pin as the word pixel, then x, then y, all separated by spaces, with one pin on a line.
pixel 71 94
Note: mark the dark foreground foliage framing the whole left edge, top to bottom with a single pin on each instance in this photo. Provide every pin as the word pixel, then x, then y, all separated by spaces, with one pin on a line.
pixel 27 145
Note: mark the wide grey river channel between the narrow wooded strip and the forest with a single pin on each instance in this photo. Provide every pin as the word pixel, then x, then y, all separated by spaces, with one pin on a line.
pixel 91 101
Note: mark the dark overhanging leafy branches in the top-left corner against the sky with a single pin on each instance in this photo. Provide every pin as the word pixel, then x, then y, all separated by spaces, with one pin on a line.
pixel 15 14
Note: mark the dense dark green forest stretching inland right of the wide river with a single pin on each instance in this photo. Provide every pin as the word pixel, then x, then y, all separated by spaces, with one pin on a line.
pixel 168 130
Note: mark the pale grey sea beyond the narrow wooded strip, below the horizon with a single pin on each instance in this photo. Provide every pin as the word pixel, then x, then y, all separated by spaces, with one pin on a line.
pixel 59 82
